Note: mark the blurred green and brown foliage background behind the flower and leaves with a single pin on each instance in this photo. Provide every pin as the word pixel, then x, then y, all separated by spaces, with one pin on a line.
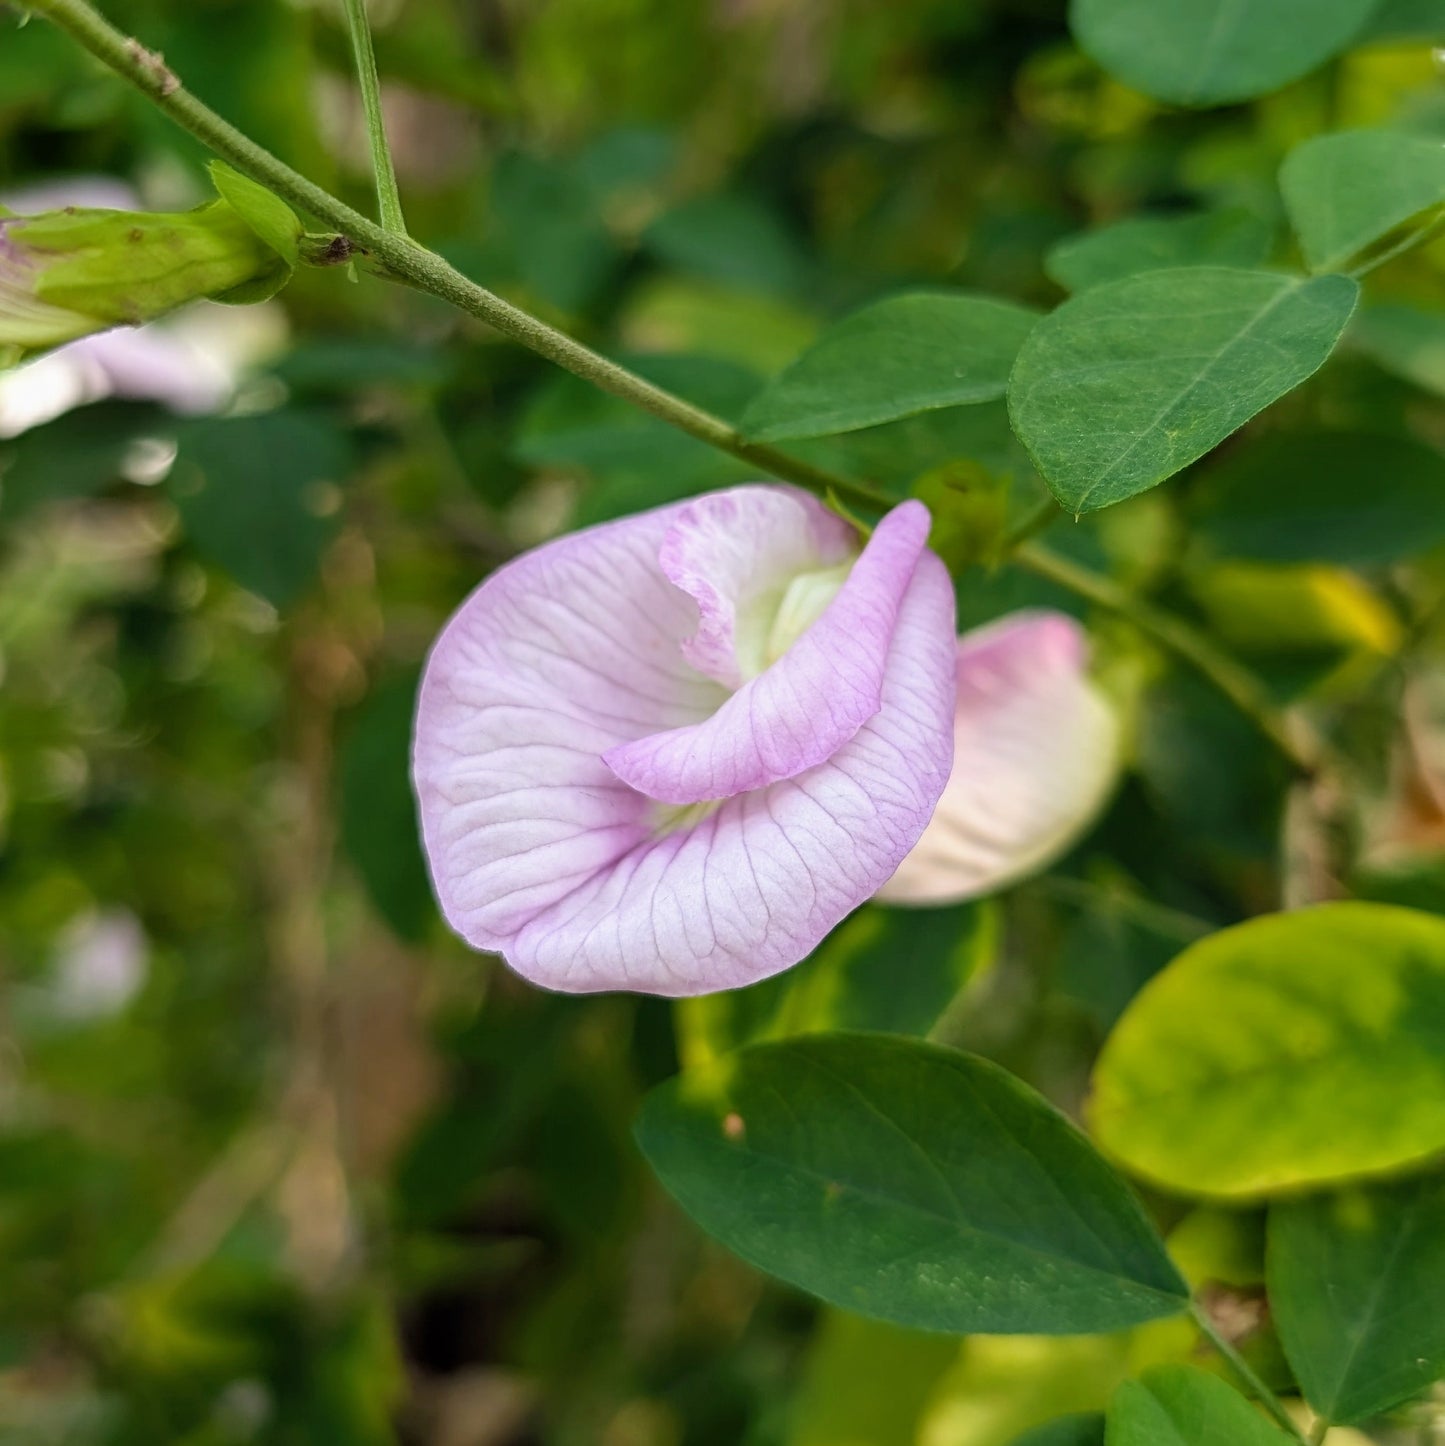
pixel 280 1160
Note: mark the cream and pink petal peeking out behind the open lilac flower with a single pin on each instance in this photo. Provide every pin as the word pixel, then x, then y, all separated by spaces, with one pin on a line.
pixel 1036 754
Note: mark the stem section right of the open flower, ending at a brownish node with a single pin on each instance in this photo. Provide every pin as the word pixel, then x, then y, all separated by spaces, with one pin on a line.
pixel 1298 744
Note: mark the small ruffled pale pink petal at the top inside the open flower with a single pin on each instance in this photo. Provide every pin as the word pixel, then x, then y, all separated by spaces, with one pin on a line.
pixel 734 553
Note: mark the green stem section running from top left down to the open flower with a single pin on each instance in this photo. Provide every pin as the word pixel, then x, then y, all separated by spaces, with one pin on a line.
pixel 404 261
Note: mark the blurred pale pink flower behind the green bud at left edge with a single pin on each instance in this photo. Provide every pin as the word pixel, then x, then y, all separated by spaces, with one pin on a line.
pixel 189 362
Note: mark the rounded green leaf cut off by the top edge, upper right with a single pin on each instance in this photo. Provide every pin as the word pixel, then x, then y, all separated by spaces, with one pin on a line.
pixel 1213 53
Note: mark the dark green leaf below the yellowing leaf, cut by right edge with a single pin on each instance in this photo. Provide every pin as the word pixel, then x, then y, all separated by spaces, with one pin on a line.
pixel 1356 1285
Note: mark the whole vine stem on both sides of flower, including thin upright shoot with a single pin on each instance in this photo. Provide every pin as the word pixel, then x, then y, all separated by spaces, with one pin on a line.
pixel 391 254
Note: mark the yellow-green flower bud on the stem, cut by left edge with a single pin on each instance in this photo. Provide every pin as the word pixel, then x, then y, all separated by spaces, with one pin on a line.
pixel 67 274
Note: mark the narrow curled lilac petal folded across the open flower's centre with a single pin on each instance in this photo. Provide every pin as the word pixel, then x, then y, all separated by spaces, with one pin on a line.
pixel 802 709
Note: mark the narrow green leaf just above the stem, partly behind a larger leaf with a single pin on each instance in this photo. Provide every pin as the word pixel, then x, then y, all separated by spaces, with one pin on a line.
pixel 893 359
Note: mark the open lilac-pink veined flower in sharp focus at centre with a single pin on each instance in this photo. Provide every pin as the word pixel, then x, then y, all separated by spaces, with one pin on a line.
pixel 672 753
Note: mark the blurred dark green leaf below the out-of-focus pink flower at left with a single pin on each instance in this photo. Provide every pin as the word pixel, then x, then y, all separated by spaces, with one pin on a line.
pixel 254 495
